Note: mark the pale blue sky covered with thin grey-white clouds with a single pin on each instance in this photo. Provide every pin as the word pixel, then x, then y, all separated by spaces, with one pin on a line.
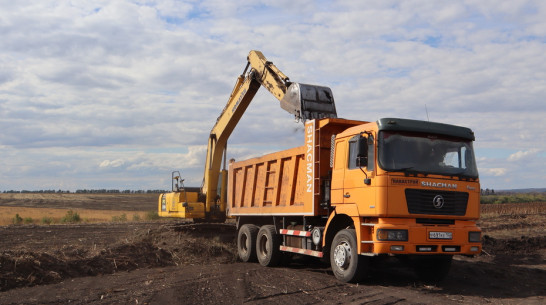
pixel 117 94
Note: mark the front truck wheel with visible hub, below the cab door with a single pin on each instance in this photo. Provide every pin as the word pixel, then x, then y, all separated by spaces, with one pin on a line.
pixel 347 265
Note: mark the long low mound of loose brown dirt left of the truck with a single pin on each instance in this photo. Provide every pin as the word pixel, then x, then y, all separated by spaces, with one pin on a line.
pixel 147 248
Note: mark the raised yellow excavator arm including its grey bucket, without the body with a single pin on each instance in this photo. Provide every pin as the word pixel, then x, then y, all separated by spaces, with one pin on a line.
pixel 303 101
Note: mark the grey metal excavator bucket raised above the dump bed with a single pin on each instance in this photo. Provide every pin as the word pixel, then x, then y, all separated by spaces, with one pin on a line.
pixel 307 102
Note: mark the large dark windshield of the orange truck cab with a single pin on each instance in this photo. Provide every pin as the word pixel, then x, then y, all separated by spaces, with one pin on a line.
pixel 426 153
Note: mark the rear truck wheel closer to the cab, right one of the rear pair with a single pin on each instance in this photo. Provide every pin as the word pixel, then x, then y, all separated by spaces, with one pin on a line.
pixel 267 246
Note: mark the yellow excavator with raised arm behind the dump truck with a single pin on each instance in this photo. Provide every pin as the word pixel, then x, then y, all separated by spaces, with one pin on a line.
pixel 208 203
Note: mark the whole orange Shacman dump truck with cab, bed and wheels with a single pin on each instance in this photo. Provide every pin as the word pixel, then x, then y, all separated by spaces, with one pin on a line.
pixel 359 190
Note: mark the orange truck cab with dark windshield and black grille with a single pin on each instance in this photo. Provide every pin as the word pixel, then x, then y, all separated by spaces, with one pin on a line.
pixel 409 187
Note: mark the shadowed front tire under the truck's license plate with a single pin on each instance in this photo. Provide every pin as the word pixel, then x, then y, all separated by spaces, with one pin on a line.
pixel 432 269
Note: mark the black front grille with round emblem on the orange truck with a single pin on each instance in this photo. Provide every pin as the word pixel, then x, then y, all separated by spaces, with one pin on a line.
pixel 421 202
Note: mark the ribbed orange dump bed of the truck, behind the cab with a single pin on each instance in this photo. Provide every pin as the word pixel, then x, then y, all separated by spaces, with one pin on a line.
pixel 288 182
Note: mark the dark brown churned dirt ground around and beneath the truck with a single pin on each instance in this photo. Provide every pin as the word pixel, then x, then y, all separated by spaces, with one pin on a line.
pixel 168 262
